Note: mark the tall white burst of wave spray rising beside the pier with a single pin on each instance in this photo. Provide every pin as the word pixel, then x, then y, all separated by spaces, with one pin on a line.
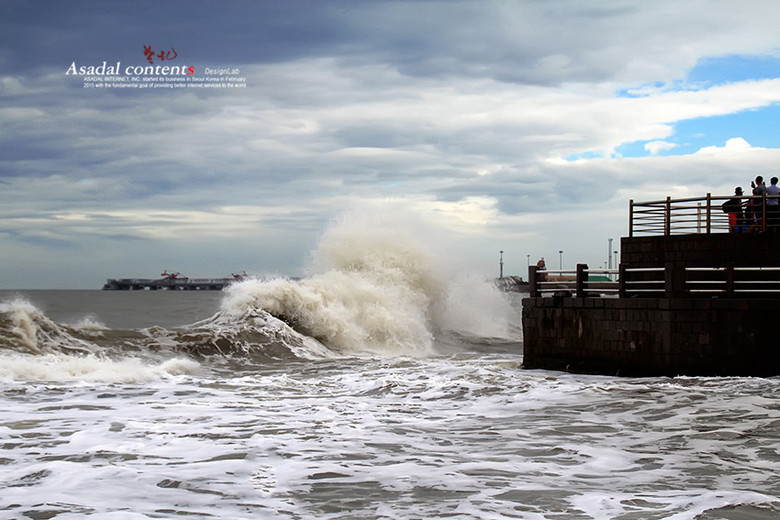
pixel 379 282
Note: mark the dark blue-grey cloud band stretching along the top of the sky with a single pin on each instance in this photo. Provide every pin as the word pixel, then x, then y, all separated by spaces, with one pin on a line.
pixel 530 42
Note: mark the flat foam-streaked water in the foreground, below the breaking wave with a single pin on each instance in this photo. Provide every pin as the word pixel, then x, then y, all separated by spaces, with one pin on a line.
pixel 468 437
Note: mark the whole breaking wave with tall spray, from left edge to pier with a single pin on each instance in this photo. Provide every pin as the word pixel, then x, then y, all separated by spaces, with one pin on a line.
pixel 375 287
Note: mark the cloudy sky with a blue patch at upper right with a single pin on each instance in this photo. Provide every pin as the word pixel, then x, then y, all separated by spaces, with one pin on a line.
pixel 516 126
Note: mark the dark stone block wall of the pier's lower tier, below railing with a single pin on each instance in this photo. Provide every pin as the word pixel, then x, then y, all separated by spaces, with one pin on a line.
pixel 653 336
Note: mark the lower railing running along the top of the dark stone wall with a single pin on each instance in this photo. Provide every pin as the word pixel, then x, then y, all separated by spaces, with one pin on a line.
pixel 673 280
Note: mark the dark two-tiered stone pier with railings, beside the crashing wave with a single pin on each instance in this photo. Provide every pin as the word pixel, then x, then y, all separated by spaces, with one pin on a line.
pixel 702 302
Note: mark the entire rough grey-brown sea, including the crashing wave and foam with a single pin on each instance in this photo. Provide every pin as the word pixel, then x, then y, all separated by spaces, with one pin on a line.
pixel 377 386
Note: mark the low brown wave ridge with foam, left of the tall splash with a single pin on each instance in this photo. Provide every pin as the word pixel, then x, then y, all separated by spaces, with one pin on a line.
pixel 36 348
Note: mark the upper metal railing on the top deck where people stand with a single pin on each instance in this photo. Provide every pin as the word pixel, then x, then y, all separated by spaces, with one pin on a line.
pixel 696 215
